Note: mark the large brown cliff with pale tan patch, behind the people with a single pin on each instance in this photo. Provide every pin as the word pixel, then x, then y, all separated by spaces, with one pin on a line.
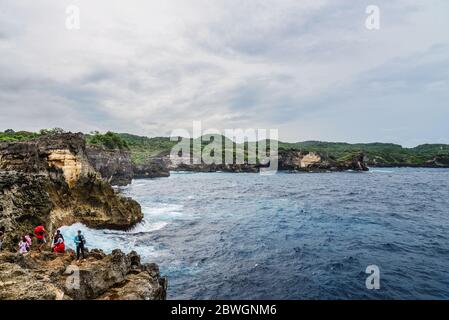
pixel 50 181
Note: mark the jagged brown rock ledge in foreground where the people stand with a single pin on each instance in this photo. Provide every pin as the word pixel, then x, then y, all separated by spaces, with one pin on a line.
pixel 49 276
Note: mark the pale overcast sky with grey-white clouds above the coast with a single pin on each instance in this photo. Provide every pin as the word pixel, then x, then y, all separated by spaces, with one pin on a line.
pixel 309 68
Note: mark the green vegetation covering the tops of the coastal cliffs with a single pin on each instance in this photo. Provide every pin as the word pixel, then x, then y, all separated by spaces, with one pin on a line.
pixel 387 154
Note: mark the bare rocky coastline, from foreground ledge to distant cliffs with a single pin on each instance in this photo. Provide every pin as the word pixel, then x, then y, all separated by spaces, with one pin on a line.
pixel 57 180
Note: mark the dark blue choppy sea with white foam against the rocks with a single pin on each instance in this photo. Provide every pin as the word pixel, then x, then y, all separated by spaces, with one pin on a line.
pixel 293 236
